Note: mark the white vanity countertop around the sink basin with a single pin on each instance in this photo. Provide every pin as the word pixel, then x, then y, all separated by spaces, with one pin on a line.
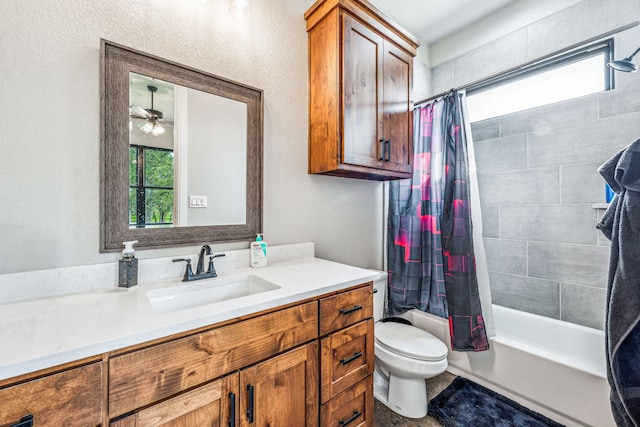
pixel 46 332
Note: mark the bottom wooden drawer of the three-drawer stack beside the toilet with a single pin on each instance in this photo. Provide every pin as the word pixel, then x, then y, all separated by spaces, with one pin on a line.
pixel 353 407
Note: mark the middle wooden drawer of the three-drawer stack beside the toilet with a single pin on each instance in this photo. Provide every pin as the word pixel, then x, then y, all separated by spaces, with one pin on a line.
pixel 346 357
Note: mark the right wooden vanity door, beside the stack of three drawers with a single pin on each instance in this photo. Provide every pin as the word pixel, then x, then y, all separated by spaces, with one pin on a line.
pixel 282 391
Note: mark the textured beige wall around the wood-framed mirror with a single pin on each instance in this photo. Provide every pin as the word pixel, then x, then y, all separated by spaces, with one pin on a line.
pixel 49 125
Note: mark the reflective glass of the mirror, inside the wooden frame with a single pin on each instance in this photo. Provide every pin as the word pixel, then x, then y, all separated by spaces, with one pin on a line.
pixel 181 140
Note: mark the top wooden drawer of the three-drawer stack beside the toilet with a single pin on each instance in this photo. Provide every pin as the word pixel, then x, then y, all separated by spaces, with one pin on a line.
pixel 345 309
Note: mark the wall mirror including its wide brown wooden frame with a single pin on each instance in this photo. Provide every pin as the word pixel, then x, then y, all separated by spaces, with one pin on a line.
pixel 181 154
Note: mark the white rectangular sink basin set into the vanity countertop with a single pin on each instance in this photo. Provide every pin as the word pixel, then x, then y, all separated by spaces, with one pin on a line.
pixel 206 292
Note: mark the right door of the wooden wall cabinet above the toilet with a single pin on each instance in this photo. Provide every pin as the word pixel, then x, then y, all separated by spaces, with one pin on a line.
pixel 398 115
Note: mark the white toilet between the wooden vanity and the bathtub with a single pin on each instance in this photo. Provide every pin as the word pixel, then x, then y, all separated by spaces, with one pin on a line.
pixel 405 356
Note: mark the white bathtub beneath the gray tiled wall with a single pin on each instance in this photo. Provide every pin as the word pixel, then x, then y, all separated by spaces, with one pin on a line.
pixel 552 367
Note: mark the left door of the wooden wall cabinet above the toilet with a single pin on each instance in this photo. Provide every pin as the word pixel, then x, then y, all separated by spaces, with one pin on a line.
pixel 362 99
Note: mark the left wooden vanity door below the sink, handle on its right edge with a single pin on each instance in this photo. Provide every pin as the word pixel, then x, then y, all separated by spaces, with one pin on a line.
pixel 211 405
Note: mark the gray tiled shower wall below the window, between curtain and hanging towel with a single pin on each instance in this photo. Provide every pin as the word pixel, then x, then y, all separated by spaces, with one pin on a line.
pixel 538 182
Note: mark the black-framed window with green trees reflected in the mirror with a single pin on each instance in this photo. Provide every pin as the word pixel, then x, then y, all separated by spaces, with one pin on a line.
pixel 151 187
